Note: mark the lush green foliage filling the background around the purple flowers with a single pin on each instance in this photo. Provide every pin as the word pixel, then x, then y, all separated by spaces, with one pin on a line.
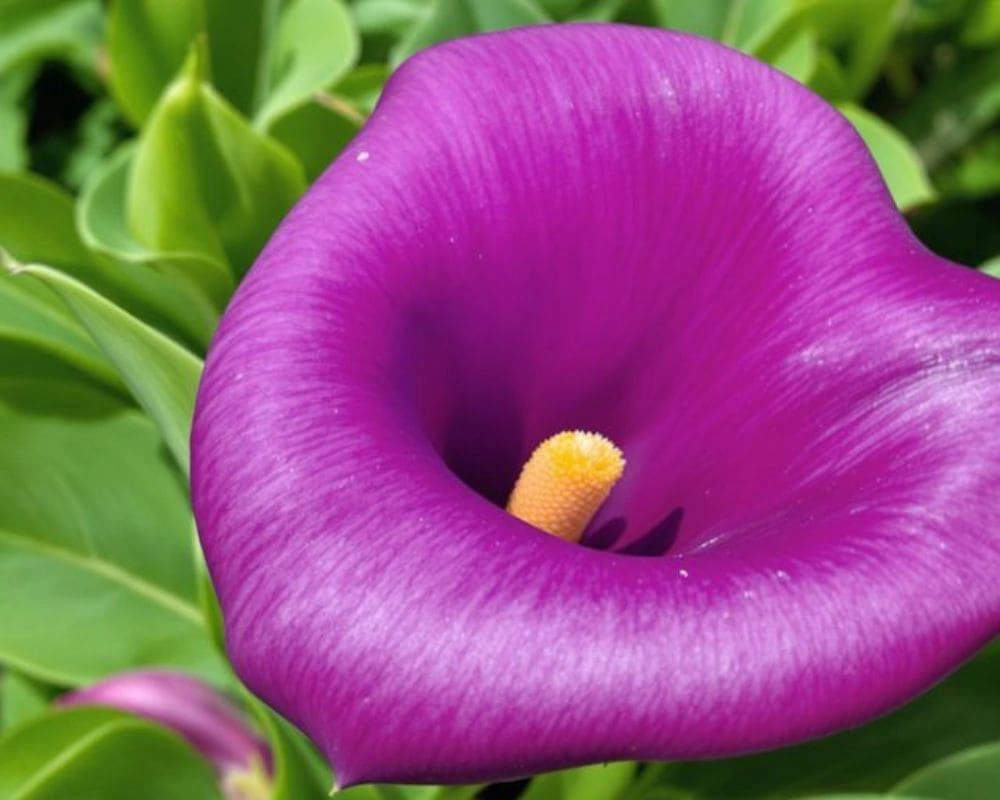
pixel 147 151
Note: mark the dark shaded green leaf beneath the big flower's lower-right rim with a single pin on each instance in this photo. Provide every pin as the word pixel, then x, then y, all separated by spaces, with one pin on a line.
pixel 959 713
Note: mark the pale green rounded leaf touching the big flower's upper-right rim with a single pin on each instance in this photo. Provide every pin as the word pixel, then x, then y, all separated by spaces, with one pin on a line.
pixel 900 165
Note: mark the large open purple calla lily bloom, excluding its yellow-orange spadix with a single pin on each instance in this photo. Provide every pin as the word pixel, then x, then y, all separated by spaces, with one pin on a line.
pixel 649 236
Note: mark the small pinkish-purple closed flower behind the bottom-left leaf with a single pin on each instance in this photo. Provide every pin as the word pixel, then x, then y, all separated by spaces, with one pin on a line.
pixel 197 713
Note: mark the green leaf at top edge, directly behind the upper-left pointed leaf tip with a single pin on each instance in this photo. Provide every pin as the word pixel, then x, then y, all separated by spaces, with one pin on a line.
pixel 147 42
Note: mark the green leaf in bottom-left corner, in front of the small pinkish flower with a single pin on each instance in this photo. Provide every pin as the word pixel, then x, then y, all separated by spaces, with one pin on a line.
pixel 100 754
